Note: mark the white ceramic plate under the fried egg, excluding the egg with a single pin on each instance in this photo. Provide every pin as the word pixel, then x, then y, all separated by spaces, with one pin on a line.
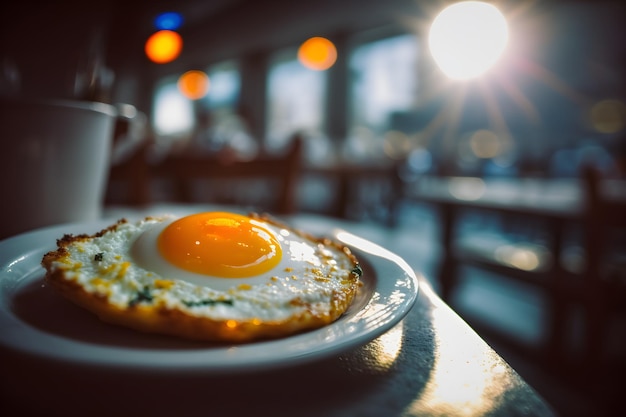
pixel 35 321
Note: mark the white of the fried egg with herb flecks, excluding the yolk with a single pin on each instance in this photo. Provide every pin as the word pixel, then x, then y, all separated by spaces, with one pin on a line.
pixel 124 266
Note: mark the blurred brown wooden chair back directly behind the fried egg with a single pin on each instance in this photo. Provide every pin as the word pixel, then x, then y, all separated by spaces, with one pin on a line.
pixel 265 183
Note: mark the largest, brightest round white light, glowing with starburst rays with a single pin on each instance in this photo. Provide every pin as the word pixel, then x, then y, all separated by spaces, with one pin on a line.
pixel 466 39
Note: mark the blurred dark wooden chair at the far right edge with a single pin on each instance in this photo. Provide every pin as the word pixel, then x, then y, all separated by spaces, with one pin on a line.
pixel 604 282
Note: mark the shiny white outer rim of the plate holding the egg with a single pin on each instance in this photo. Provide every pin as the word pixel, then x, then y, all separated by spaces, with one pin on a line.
pixel 23 247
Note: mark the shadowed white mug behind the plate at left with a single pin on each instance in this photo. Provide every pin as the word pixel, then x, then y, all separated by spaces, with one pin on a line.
pixel 54 161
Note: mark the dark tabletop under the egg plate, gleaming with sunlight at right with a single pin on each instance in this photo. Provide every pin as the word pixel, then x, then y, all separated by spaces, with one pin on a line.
pixel 430 364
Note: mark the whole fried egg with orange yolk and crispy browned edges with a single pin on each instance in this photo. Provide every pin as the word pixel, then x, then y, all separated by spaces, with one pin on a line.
pixel 214 276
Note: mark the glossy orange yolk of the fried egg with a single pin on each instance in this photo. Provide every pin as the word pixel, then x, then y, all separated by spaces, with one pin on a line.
pixel 220 244
